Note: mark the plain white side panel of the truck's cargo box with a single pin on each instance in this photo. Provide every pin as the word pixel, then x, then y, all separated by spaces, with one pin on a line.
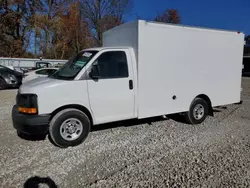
pixel 185 62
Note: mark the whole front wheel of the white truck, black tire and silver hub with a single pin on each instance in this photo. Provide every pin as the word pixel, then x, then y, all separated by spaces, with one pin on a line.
pixel 69 127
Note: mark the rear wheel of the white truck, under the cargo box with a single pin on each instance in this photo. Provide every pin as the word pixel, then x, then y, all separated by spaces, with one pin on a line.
pixel 190 115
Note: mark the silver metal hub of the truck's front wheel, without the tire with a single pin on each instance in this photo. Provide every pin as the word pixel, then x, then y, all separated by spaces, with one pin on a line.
pixel 71 129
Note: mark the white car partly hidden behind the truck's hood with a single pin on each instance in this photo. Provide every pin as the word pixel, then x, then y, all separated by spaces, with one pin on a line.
pixel 43 72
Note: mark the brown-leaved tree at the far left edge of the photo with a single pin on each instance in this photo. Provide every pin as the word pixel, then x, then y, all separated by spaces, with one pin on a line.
pixel 15 17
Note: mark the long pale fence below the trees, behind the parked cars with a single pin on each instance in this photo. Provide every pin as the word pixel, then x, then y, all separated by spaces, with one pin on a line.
pixel 27 62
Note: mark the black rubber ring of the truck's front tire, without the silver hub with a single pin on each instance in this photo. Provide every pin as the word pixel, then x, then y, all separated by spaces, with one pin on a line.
pixel 57 122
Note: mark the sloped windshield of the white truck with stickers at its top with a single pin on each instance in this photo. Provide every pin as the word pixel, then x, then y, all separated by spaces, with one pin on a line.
pixel 70 69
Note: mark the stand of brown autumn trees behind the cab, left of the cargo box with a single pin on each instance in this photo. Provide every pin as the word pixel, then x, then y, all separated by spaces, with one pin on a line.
pixel 56 28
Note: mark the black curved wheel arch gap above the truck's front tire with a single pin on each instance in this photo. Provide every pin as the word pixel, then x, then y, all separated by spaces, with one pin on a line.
pixel 76 106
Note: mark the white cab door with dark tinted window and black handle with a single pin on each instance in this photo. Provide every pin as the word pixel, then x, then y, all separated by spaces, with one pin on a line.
pixel 112 95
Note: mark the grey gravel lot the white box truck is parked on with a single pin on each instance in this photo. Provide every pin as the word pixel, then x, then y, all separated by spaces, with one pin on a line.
pixel 148 153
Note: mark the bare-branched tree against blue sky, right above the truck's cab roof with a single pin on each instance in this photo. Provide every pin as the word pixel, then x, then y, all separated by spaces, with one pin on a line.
pixel 104 14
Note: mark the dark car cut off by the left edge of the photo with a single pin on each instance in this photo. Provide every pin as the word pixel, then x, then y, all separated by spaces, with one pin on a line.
pixel 9 78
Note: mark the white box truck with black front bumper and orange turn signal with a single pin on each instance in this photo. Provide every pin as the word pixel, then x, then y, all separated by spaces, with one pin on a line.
pixel 144 69
